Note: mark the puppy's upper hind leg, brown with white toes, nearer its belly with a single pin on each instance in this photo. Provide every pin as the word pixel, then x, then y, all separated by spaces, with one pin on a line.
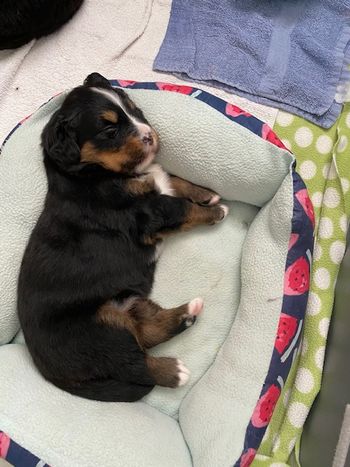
pixel 154 324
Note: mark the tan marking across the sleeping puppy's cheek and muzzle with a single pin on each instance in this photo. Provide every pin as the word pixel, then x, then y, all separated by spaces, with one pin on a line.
pixel 121 160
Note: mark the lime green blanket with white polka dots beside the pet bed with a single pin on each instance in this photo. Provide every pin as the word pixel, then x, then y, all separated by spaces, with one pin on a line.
pixel 324 163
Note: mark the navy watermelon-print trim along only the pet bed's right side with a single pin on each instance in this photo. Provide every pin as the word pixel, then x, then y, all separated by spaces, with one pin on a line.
pixel 288 335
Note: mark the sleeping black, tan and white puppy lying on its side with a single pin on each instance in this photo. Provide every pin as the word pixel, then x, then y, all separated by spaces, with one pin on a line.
pixel 89 265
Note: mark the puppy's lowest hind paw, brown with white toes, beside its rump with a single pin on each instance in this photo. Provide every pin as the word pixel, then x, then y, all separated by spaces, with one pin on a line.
pixel 168 372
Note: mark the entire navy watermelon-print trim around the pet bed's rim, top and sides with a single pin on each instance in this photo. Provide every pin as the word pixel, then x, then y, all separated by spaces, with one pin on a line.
pixel 297 267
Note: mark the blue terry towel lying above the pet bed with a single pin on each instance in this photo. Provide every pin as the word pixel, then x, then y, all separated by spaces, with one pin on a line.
pixel 290 54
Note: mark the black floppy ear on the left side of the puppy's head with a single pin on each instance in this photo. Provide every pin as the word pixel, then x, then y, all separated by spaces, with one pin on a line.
pixel 59 141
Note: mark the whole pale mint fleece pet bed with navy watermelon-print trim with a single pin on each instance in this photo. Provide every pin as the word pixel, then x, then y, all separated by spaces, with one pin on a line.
pixel 252 271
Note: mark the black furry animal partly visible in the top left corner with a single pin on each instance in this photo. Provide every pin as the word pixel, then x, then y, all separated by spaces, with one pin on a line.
pixel 24 20
